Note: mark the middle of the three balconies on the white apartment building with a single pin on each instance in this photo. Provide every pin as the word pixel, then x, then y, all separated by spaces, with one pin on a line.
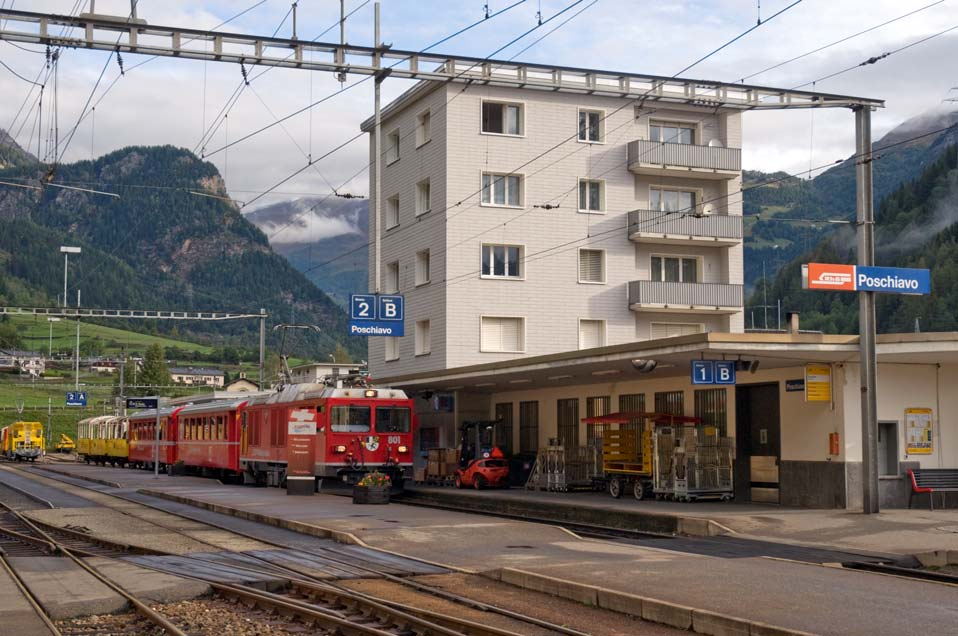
pixel 654 226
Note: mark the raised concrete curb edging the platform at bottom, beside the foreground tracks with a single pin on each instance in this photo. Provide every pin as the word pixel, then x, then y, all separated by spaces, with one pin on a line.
pixel 645 608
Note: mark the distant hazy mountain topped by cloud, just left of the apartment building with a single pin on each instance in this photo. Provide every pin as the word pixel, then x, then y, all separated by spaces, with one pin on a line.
pixel 324 238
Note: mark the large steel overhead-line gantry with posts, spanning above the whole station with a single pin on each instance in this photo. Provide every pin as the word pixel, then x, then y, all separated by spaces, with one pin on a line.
pixel 134 35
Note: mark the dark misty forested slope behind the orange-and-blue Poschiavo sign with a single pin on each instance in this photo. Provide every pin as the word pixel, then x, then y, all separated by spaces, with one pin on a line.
pixel 916 226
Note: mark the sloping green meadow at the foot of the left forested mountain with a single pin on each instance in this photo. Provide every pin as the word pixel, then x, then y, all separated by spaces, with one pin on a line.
pixel 35 333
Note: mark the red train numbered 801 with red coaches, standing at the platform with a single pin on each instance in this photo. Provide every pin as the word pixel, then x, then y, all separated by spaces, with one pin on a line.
pixel 358 430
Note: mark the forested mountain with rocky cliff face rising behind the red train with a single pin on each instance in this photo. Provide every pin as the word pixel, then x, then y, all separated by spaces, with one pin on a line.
pixel 158 245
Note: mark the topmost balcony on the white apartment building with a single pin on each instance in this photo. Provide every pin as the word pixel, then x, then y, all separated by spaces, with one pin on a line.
pixel 684 160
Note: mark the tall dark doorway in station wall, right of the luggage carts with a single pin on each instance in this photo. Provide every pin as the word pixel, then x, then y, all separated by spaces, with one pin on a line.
pixel 758 443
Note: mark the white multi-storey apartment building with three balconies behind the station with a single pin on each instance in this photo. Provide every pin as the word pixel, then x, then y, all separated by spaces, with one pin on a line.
pixel 522 222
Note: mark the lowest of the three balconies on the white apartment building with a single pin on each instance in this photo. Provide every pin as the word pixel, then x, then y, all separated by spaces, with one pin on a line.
pixel 701 298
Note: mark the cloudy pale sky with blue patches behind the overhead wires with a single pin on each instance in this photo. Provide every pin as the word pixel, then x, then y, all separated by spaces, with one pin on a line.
pixel 170 101
